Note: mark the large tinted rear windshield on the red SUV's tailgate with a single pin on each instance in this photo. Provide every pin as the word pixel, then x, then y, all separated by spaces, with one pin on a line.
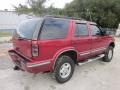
pixel 27 28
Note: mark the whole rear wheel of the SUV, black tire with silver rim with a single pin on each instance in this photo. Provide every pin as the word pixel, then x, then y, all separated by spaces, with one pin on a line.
pixel 64 69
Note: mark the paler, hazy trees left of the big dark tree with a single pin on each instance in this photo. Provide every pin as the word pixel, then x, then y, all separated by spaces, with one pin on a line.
pixel 37 8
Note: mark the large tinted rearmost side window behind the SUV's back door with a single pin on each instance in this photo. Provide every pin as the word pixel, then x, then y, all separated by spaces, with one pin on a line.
pixel 54 29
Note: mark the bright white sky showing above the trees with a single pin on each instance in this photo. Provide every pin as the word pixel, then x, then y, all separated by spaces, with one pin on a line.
pixel 8 4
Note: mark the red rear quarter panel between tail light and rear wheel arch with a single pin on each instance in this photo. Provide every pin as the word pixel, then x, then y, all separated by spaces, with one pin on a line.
pixel 50 49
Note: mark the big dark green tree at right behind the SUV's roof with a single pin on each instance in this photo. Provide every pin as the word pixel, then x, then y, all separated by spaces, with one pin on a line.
pixel 104 12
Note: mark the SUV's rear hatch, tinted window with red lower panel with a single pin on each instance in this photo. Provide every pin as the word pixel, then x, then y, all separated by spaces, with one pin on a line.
pixel 23 36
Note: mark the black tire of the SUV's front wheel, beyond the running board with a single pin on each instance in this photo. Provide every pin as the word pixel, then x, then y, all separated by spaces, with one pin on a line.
pixel 106 58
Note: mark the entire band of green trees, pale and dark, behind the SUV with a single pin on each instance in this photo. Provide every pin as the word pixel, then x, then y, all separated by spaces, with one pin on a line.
pixel 104 12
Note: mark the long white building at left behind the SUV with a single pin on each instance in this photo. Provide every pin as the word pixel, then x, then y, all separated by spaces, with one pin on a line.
pixel 10 19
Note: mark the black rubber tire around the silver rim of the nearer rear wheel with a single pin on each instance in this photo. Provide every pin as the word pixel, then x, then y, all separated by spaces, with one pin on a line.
pixel 60 62
